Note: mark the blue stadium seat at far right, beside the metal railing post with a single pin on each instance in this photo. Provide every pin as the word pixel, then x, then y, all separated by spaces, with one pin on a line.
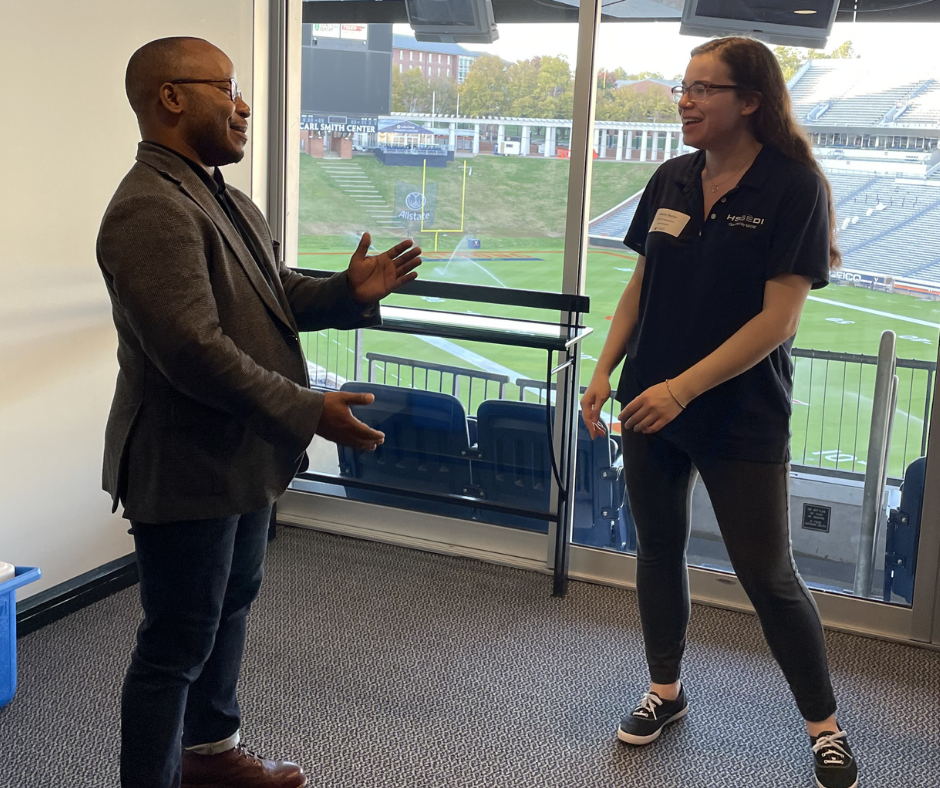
pixel 903 534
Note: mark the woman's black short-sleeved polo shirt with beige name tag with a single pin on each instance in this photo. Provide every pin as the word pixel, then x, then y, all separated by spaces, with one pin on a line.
pixel 704 280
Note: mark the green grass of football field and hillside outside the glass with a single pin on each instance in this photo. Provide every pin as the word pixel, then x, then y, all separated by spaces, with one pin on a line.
pixel 517 206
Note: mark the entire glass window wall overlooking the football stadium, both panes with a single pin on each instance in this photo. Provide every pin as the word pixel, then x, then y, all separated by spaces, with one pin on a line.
pixel 494 213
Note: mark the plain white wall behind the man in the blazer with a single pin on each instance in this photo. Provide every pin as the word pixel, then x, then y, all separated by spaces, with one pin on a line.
pixel 67 139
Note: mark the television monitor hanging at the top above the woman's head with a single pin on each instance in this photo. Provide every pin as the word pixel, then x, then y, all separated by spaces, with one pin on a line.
pixel 800 23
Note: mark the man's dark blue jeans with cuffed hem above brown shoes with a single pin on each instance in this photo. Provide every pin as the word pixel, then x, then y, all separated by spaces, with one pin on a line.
pixel 198 579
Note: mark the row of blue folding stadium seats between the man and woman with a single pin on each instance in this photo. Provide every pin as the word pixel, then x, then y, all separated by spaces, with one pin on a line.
pixel 428 449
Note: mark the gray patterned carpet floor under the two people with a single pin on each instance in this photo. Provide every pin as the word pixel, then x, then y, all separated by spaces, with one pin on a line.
pixel 374 665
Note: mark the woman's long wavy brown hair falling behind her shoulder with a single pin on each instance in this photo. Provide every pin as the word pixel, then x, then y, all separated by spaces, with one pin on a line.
pixel 754 69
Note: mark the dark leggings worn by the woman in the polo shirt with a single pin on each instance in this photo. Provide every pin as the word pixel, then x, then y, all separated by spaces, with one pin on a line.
pixel 752 504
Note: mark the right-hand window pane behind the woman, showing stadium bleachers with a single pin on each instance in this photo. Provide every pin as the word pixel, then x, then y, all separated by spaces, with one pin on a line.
pixel 887 282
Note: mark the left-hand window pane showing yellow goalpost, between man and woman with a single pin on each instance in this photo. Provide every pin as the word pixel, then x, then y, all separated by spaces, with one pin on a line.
pixel 482 219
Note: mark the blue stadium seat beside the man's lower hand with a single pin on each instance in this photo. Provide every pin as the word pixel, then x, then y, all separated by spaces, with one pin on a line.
pixel 425 449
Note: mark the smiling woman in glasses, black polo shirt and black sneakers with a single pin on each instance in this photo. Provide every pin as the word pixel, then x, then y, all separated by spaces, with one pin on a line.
pixel 731 240
